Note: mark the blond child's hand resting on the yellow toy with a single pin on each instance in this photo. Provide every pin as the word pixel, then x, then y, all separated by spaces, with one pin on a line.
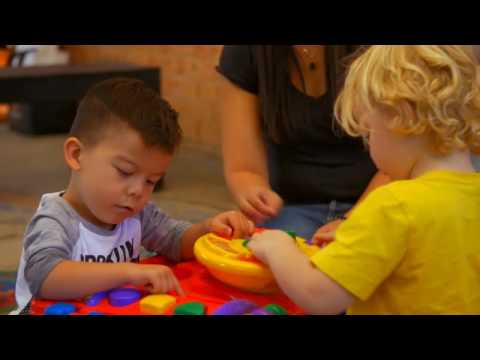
pixel 267 242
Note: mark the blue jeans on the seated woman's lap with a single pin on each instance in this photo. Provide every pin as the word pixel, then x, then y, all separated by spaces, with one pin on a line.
pixel 305 220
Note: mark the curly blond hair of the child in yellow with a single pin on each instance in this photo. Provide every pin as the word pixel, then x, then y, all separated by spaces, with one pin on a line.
pixel 432 89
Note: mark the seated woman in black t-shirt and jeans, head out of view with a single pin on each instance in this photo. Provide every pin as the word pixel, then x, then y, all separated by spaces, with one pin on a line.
pixel 286 164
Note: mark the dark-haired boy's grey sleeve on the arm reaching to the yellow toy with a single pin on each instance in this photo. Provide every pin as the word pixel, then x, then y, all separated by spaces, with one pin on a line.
pixel 161 233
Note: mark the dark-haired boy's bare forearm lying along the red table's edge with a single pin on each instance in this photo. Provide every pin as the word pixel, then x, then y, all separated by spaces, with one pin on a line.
pixel 72 280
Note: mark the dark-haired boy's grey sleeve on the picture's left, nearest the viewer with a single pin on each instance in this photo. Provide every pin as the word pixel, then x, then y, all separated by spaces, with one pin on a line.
pixel 47 243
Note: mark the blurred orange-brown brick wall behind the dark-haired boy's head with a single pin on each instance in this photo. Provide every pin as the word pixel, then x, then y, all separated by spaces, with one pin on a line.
pixel 189 80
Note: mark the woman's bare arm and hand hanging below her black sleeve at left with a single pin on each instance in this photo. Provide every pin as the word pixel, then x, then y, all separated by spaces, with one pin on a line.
pixel 244 153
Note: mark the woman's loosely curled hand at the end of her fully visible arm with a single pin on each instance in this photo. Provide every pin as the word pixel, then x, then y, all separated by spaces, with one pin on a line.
pixel 260 204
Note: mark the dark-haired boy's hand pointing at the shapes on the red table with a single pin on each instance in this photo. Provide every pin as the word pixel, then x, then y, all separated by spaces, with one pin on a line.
pixel 158 279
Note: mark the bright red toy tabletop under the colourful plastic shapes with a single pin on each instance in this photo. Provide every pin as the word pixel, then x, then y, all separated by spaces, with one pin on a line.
pixel 198 285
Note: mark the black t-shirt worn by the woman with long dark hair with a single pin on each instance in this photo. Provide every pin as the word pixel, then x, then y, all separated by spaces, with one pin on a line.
pixel 325 164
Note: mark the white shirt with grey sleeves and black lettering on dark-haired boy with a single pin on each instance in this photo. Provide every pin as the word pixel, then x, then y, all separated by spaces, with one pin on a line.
pixel 57 233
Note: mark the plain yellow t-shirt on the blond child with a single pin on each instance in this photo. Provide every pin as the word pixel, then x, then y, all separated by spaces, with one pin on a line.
pixel 412 247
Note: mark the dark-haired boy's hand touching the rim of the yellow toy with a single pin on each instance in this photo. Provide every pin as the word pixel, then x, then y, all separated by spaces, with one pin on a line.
pixel 231 224
